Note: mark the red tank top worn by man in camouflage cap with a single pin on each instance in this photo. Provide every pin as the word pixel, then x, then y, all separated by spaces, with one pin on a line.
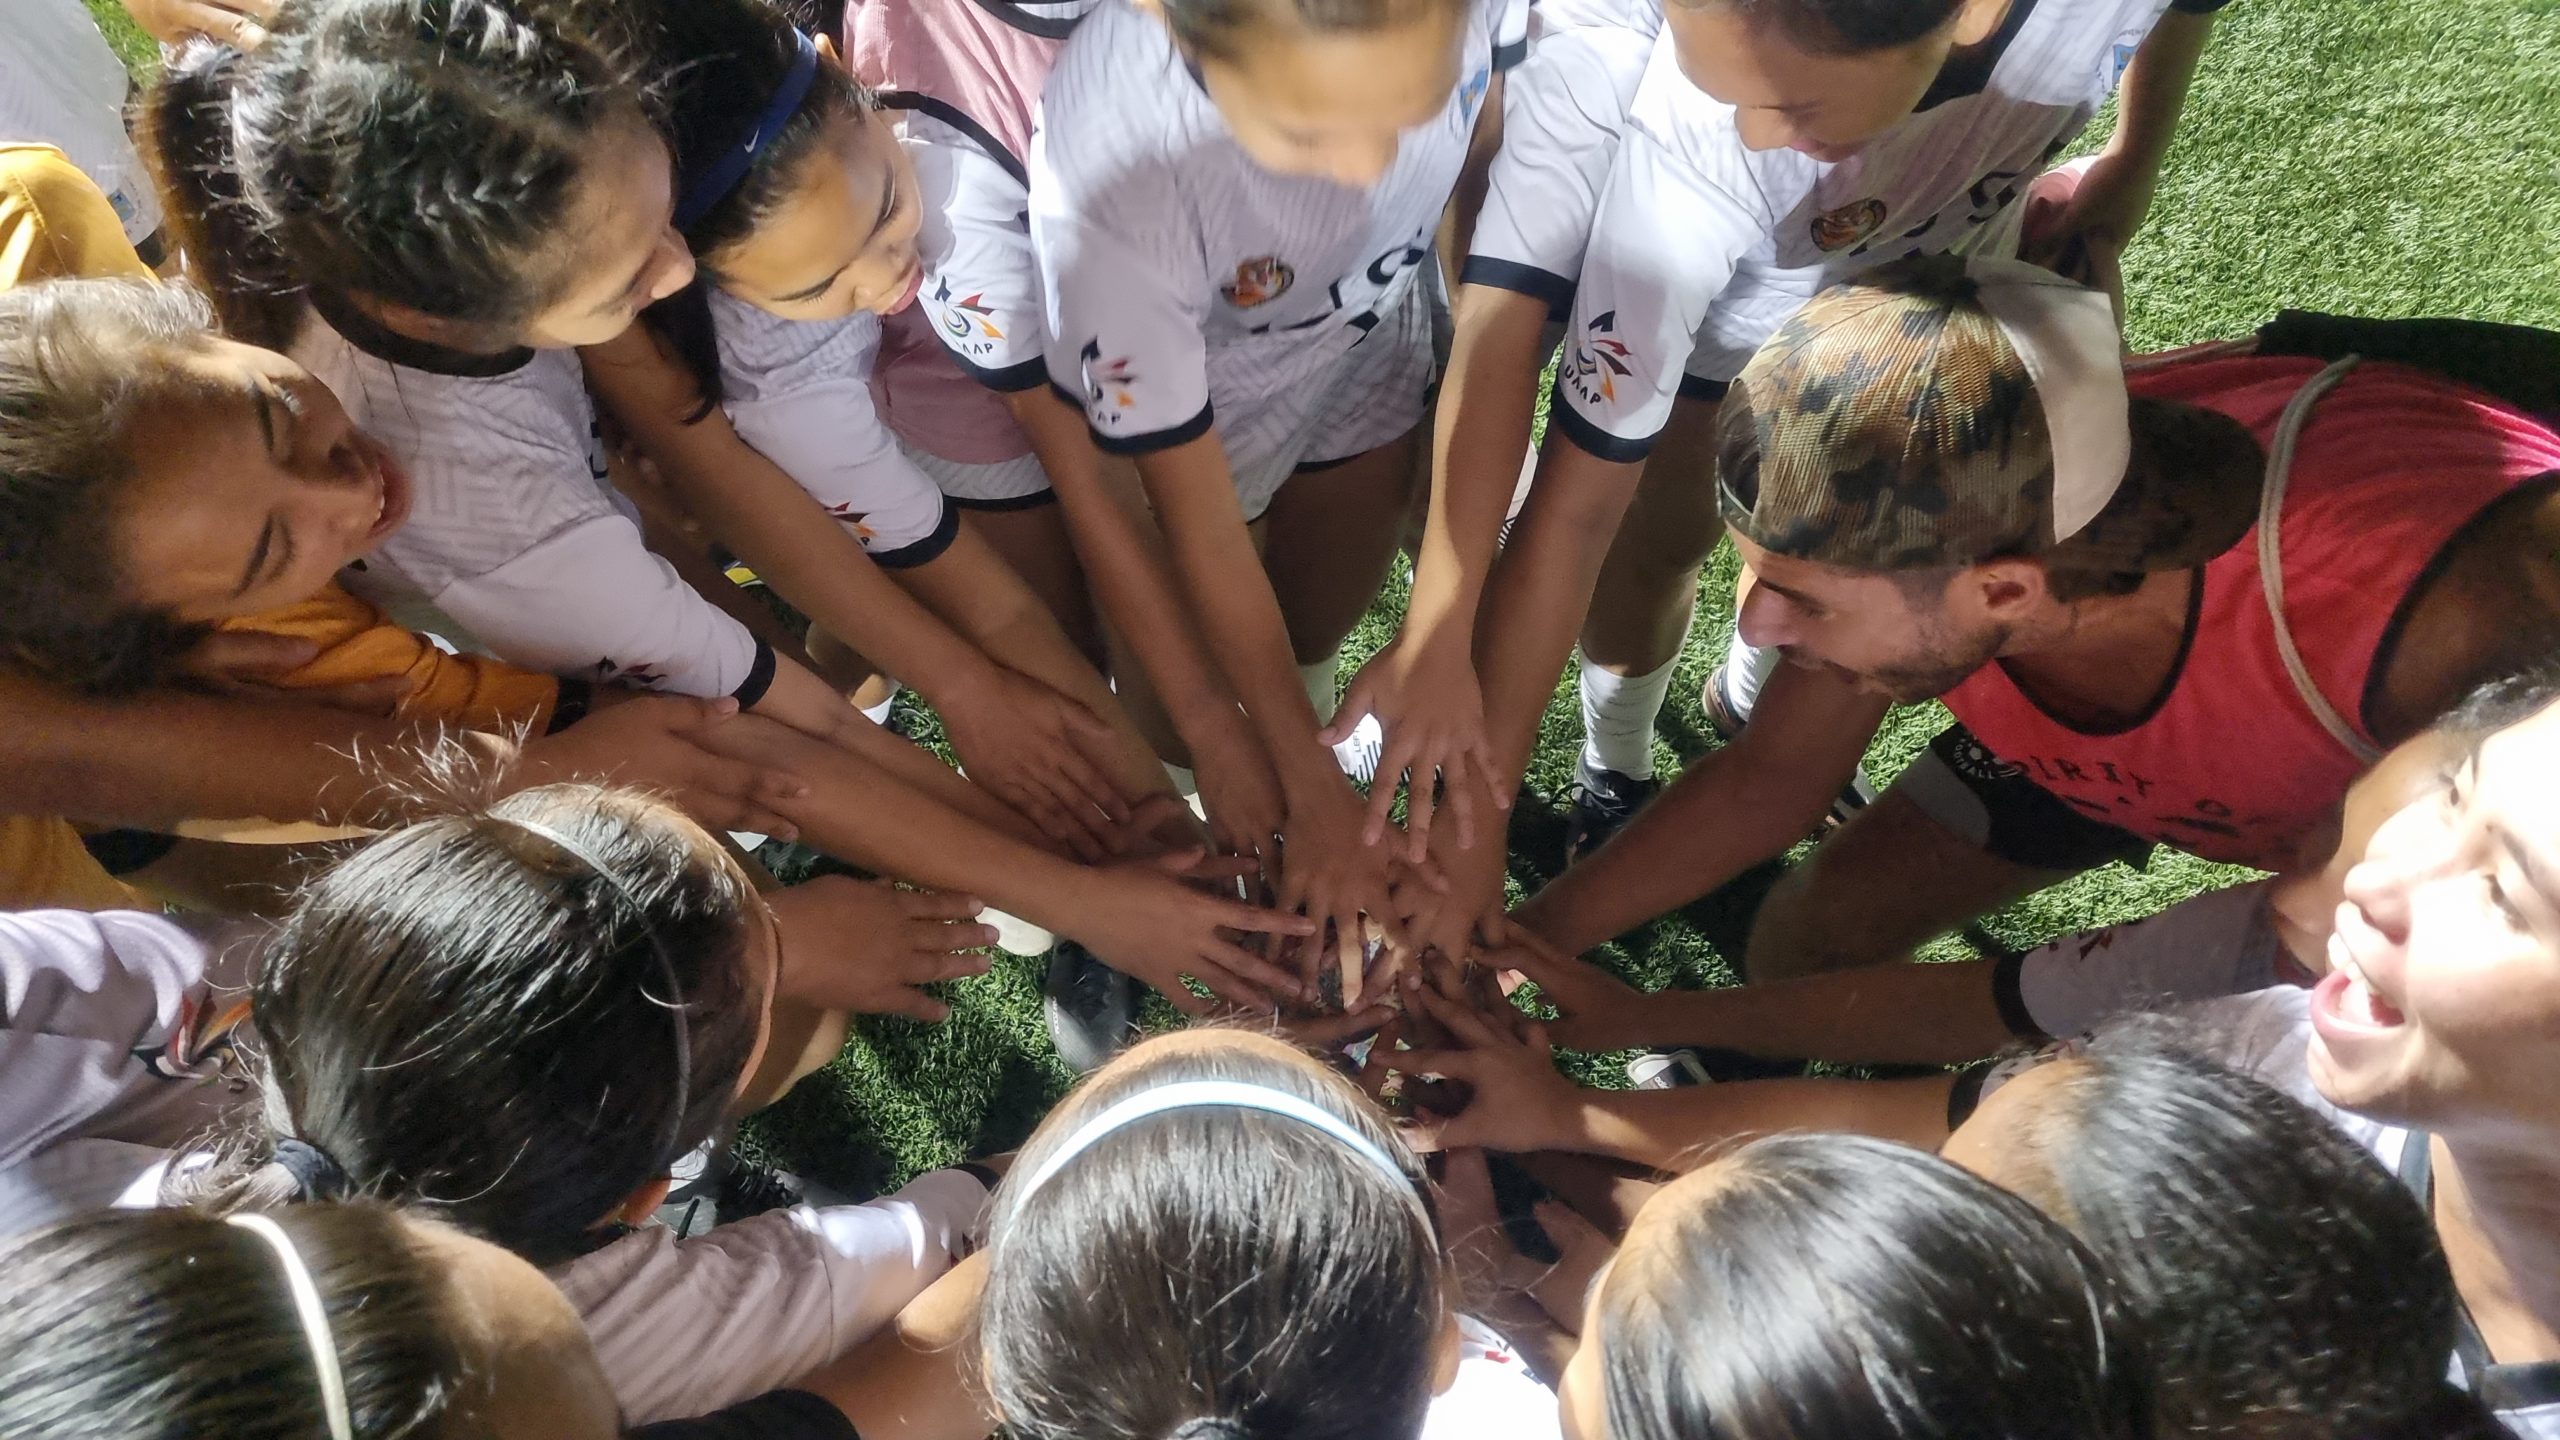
pixel 2234 765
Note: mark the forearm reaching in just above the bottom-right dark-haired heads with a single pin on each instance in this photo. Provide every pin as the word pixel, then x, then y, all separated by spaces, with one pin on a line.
pixel 1686 1129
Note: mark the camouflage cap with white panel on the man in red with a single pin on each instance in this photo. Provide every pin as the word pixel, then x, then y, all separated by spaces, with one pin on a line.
pixel 1944 411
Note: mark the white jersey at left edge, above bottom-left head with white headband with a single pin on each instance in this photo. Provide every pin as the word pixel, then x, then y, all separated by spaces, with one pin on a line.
pixel 116 1049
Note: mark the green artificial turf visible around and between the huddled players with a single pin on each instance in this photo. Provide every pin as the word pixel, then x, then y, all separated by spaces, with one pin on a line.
pixel 2339 155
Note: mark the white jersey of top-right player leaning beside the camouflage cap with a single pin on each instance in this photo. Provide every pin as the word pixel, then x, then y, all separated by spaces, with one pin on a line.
pixel 1704 245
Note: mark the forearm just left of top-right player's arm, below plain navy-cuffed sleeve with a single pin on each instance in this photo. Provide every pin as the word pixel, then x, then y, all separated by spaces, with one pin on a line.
pixel 1484 421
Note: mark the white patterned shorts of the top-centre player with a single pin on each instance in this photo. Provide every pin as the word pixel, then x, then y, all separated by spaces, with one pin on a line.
pixel 1373 396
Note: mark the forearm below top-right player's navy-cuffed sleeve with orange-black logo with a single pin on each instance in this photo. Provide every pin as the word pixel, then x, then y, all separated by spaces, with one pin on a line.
pixel 1540 593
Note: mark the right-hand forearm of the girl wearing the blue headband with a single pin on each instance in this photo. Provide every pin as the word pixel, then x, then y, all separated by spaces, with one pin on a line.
pixel 1133 578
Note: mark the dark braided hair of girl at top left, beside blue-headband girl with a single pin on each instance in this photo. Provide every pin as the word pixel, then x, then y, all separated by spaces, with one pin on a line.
pixel 421 152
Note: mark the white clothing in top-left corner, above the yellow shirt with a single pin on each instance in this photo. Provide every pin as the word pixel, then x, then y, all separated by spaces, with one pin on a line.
pixel 63 86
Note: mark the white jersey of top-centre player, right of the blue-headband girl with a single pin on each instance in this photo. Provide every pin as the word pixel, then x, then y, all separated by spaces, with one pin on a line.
pixel 1187 288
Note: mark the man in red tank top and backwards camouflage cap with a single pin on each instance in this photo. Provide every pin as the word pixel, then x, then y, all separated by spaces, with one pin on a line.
pixel 1949 486
